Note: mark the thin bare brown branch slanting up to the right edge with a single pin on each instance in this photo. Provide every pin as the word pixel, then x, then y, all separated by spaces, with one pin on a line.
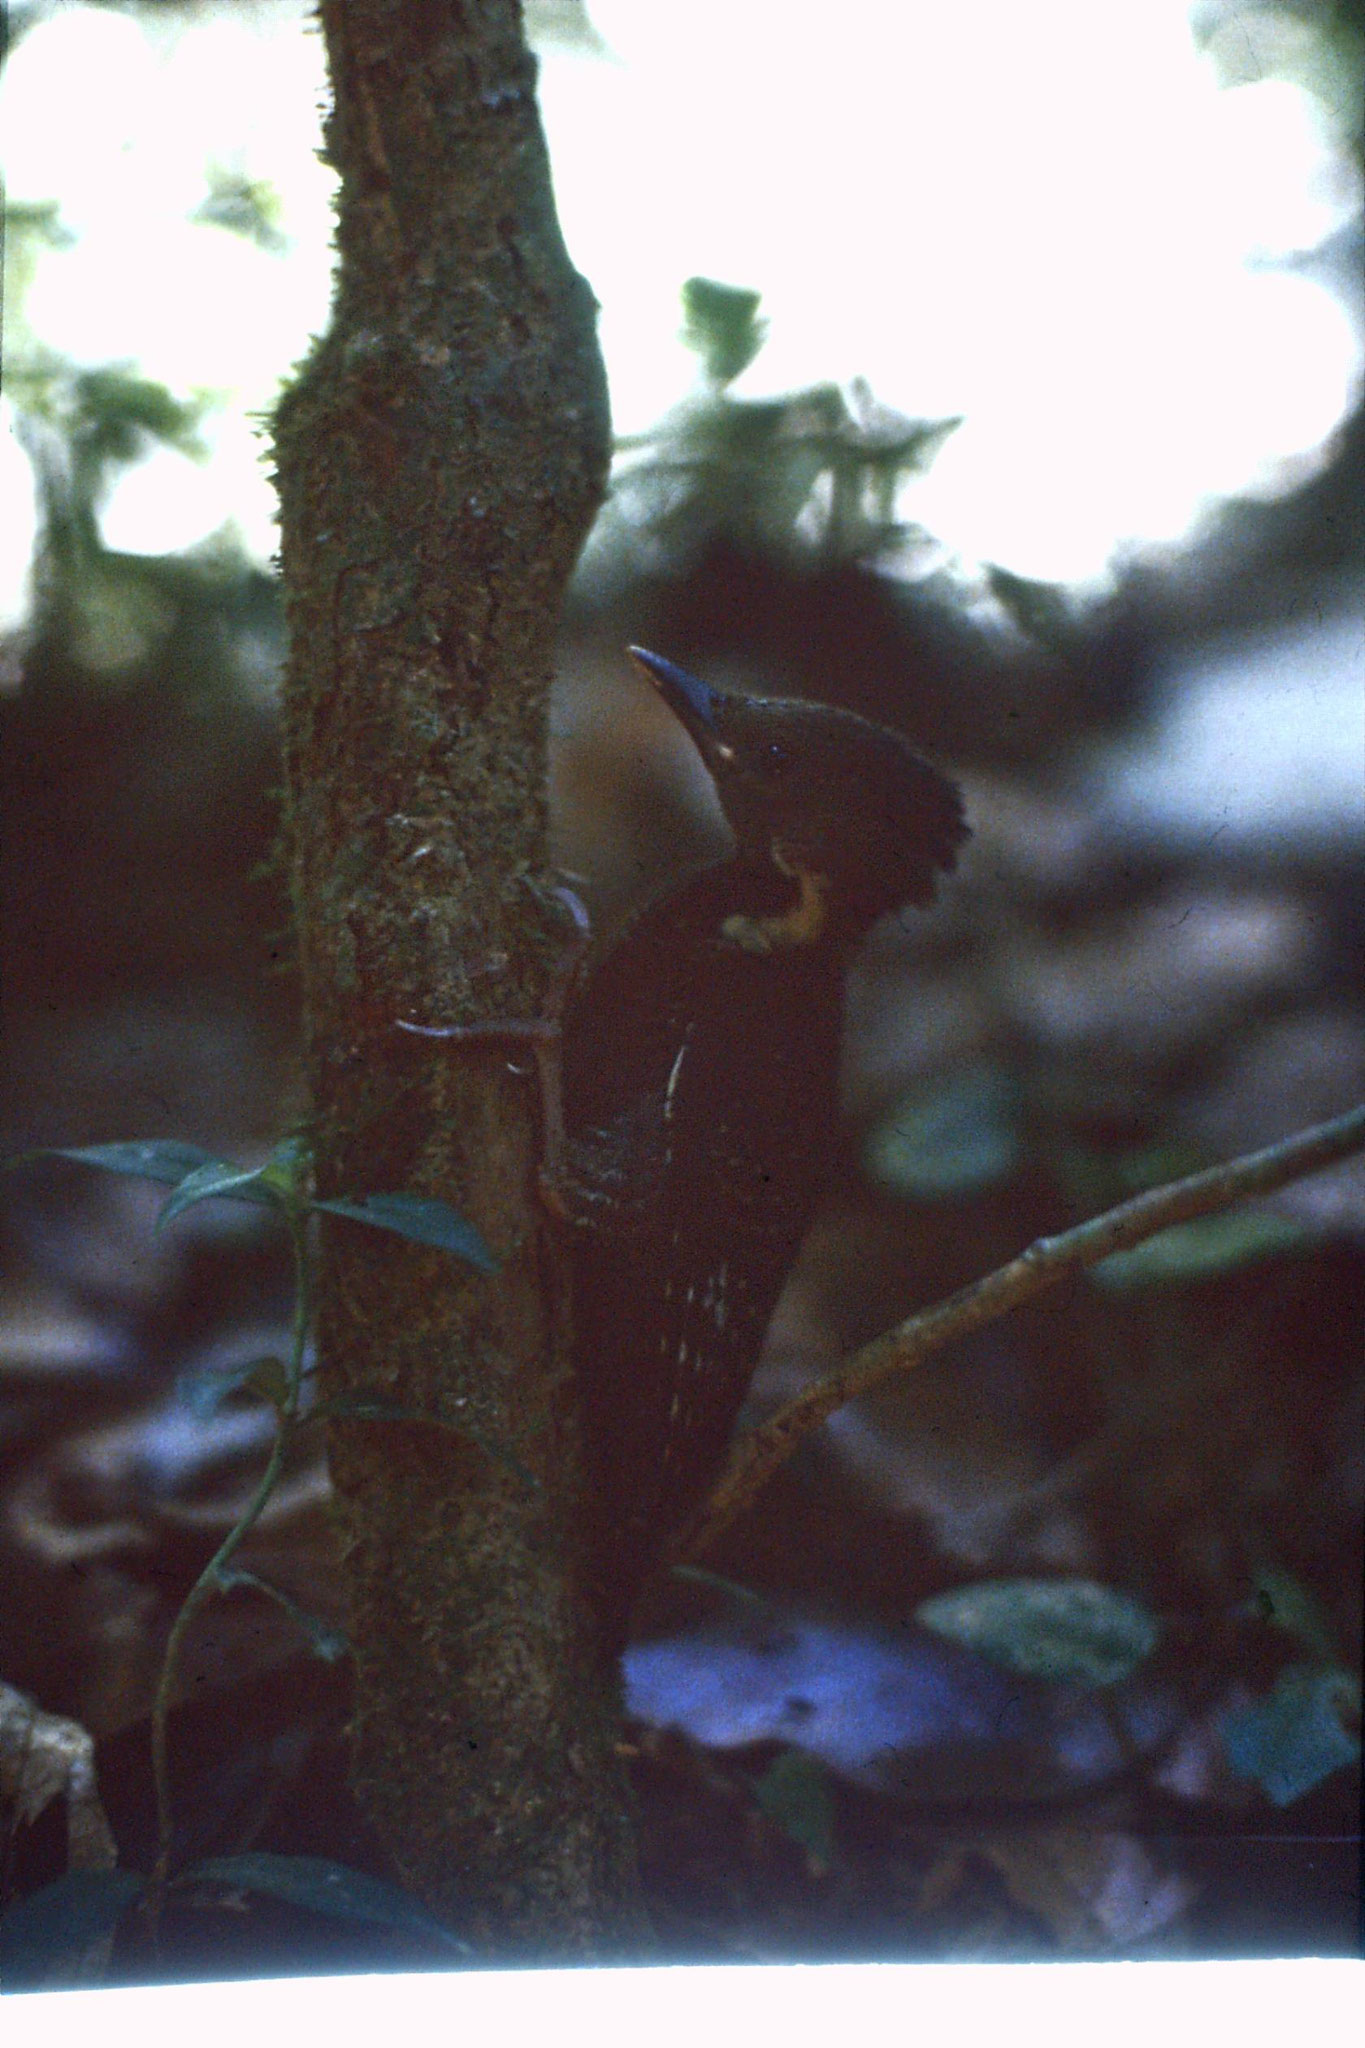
pixel 760 1453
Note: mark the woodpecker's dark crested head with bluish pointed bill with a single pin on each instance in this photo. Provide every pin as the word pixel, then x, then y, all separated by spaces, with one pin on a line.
pixel 822 794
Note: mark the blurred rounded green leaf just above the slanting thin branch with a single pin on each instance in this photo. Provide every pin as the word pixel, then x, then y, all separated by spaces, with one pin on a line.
pixel 949 1140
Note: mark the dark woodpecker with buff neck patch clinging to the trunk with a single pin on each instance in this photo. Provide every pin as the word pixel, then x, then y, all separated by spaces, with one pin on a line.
pixel 699 1064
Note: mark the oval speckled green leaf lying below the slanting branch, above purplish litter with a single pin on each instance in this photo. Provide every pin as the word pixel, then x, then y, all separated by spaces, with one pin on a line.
pixel 1057 1629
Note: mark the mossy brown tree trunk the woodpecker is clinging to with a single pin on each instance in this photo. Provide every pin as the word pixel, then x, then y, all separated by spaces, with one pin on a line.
pixel 439 460
